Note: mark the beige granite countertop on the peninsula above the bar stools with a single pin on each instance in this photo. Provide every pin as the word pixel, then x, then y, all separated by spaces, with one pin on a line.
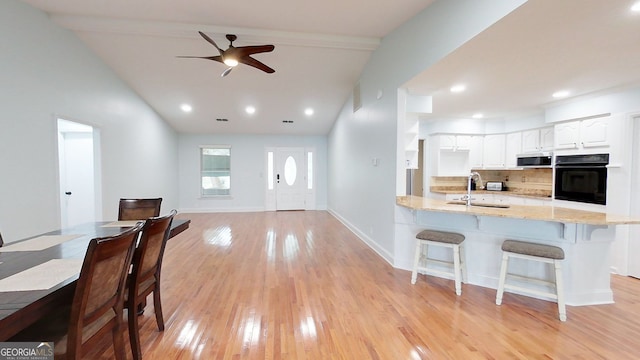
pixel 544 213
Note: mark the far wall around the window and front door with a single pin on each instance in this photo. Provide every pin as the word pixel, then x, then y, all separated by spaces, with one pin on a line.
pixel 248 177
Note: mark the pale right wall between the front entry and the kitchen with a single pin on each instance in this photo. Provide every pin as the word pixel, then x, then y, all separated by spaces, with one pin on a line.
pixel 363 195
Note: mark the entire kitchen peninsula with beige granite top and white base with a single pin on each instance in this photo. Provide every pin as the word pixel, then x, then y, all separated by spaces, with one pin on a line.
pixel 585 237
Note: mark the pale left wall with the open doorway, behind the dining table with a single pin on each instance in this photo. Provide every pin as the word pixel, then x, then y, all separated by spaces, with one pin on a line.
pixel 47 71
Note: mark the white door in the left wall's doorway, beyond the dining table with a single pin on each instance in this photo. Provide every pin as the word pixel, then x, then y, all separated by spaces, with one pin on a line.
pixel 77 180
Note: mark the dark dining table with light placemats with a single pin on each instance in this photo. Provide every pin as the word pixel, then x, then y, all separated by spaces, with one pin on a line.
pixel 39 274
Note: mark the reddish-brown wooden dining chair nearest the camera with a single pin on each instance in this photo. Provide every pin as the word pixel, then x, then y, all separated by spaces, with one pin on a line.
pixel 97 306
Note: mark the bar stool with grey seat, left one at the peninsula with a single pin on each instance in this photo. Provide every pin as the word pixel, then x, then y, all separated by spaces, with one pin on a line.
pixel 444 239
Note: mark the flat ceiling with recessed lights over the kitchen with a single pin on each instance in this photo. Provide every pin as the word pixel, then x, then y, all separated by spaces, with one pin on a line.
pixel 511 70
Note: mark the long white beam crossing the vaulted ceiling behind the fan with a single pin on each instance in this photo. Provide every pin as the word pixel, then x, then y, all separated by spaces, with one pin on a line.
pixel 190 31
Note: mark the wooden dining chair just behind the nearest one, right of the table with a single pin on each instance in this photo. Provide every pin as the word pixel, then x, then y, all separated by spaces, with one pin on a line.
pixel 145 275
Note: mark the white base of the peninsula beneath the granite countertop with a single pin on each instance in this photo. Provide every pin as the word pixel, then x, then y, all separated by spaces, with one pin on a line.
pixel 586 268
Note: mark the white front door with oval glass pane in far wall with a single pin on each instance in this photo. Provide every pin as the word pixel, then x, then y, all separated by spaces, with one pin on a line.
pixel 289 176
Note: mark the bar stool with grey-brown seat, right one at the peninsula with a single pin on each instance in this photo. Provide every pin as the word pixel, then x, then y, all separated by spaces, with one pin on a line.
pixel 535 252
